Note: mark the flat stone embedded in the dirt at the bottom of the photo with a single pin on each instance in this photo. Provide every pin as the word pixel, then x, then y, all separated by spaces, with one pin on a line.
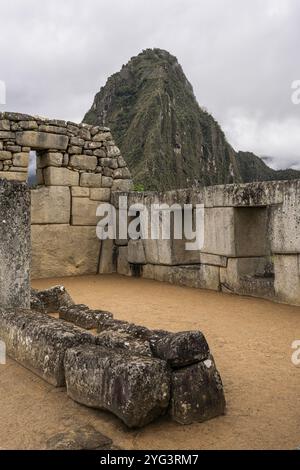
pixel 84 438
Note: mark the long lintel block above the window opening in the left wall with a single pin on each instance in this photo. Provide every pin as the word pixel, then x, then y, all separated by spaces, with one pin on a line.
pixel 42 140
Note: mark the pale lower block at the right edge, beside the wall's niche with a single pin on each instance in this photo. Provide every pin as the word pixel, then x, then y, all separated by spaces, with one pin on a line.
pixel 287 278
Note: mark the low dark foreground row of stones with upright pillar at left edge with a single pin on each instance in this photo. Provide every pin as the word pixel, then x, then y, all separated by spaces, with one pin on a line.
pixel 136 373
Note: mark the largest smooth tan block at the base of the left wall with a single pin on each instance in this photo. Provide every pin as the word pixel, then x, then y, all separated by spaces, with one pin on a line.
pixel 71 251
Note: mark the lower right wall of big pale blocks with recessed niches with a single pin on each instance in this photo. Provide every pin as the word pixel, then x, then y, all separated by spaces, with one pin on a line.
pixel 251 242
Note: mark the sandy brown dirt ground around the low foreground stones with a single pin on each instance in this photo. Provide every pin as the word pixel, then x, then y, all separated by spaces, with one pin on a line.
pixel 250 339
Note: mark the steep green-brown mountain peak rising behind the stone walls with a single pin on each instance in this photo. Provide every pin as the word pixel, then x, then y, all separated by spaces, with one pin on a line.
pixel 168 140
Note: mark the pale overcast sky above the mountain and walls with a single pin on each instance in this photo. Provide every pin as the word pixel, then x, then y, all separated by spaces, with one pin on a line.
pixel 241 57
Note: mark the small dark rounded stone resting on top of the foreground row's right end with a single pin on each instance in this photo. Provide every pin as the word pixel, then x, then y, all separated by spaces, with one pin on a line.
pixel 182 349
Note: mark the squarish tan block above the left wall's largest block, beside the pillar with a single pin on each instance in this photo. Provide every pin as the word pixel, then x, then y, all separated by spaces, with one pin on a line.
pixel 50 205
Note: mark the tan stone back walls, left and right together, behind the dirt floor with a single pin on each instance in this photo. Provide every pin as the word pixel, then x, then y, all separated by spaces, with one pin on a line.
pixel 252 241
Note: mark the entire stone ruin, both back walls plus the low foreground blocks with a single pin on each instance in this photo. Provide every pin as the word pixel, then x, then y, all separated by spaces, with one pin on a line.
pixel 251 247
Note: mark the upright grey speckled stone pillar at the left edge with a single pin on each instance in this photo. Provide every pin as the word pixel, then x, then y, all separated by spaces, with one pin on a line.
pixel 15 246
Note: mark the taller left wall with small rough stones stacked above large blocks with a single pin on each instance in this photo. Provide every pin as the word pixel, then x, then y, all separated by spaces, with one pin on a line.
pixel 78 167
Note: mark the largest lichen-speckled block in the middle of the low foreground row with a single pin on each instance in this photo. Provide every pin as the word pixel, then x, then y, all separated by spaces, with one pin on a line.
pixel 134 388
